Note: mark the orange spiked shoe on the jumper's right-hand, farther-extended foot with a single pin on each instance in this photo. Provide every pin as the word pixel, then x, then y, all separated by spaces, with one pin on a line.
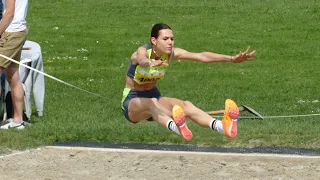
pixel 230 118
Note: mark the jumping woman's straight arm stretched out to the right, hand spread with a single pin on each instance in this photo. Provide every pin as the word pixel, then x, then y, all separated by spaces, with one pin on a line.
pixel 208 57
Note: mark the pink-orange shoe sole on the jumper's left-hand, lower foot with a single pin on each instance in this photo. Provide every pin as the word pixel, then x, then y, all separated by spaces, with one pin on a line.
pixel 180 120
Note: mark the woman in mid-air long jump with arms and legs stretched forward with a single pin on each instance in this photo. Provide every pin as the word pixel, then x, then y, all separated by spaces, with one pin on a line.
pixel 142 100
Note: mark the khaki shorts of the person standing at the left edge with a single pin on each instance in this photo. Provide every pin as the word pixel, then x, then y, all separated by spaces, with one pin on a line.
pixel 11 44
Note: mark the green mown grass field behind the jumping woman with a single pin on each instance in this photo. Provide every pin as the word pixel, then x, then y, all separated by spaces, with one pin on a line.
pixel 88 44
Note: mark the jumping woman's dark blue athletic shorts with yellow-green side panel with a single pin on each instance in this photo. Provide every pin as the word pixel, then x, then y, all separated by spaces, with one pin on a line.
pixel 128 94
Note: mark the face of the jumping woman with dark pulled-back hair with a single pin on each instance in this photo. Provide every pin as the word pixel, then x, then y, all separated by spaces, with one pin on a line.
pixel 164 43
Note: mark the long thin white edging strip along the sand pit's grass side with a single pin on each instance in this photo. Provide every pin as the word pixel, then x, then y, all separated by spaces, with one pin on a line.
pixel 178 152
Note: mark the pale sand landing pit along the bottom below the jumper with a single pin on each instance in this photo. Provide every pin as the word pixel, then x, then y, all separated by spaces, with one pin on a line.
pixel 99 163
